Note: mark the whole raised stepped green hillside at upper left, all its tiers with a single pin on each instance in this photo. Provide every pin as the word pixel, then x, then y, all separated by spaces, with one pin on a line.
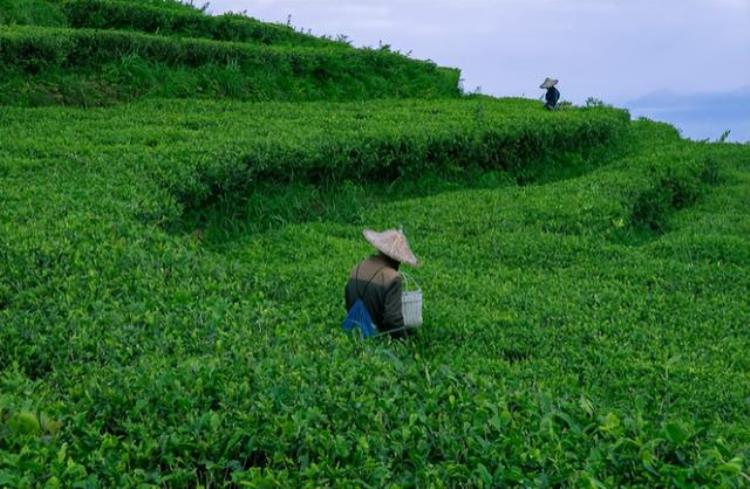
pixel 75 52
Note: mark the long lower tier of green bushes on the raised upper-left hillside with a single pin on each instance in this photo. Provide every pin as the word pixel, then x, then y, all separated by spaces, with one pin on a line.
pixel 90 67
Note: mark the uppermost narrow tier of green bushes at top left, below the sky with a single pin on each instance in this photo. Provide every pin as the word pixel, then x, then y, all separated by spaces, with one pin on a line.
pixel 158 19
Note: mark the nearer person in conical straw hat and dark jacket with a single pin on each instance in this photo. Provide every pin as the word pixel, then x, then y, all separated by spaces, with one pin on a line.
pixel 377 281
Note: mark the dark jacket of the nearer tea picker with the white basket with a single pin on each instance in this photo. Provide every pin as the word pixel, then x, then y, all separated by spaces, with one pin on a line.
pixel 377 282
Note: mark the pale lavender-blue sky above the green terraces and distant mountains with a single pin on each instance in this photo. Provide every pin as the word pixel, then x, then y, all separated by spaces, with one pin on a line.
pixel 615 50
